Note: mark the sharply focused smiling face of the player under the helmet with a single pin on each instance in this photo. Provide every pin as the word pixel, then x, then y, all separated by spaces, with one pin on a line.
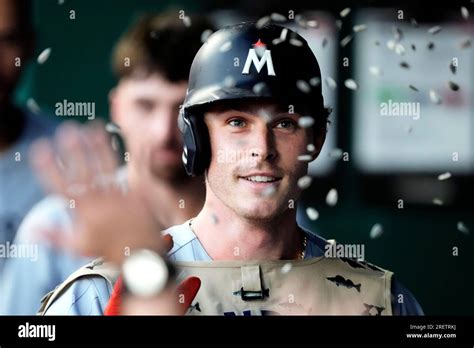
pixel 254 166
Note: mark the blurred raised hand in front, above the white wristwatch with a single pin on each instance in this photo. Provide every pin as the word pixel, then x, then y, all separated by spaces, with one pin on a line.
pixel 81 166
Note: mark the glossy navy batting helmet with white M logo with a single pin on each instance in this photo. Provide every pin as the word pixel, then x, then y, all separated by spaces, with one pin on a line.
pixel 247 61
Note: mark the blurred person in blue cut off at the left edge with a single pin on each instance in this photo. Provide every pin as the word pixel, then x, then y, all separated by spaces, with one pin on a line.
pixel 19 188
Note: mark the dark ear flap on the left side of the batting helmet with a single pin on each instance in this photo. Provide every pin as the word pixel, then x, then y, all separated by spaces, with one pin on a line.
pixel 196 147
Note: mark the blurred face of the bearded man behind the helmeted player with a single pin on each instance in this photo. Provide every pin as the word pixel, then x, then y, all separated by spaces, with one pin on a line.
pixel 146 109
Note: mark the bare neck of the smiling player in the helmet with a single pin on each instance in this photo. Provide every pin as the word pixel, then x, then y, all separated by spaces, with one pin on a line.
pixel 227 236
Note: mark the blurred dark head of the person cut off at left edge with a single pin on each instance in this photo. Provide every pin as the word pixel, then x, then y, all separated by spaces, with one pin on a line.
pixel 16 44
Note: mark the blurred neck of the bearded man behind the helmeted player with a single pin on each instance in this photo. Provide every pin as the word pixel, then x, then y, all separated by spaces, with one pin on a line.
pixel 171 204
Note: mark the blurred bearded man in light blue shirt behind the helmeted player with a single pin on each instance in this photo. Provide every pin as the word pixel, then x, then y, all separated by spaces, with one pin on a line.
pixel 152 62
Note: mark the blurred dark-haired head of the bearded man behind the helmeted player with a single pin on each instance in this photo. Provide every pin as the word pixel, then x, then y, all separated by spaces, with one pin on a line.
pixel 152 61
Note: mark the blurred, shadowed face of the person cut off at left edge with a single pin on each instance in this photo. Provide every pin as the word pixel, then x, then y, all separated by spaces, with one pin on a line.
pixel 11 47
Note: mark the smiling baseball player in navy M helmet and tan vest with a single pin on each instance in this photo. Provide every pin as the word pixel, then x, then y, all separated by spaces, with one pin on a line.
pixel 253 107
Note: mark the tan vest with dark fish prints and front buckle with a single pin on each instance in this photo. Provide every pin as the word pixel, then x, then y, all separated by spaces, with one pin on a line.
pixel 317 286
